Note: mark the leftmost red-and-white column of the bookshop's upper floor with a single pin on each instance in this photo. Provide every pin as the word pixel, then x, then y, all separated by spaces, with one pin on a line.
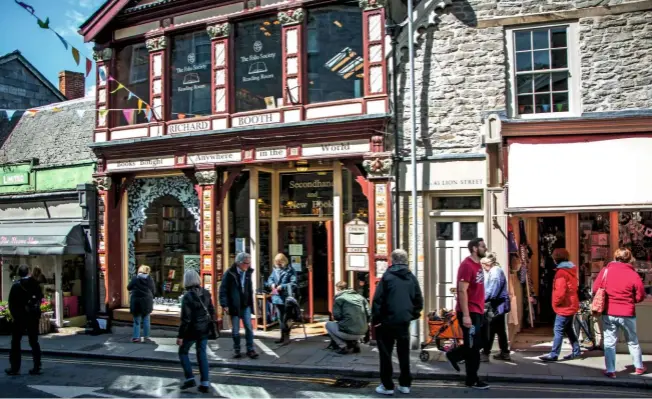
pixel 102 98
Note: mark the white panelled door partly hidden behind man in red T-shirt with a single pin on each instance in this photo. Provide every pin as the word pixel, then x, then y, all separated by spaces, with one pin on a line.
pixel 449 248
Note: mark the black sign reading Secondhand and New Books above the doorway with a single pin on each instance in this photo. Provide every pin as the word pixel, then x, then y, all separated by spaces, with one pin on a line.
pixel 307 194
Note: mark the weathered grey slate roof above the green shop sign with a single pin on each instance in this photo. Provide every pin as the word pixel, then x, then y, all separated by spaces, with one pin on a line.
pixel 54 138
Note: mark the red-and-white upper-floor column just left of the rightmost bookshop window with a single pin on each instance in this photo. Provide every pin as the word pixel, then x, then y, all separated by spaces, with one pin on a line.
pixel 292 45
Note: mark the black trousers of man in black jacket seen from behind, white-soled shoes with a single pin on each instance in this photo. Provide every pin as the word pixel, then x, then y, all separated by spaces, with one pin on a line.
pixel 387 336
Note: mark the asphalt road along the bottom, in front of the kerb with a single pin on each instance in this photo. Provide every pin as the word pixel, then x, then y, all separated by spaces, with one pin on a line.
pixel 66 377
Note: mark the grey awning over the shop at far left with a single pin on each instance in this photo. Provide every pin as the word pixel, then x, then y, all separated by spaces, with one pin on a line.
pixel 42 239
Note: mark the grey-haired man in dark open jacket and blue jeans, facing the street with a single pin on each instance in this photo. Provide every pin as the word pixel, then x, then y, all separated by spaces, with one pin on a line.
pixel 237 300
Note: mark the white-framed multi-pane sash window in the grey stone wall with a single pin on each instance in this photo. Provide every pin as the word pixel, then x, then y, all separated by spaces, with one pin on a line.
pixel 544 81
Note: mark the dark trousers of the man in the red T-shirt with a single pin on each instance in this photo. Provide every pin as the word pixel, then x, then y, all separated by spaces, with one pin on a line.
pixel 469 353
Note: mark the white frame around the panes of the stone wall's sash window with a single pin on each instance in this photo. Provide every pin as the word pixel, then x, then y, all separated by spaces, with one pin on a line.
pixel 574 71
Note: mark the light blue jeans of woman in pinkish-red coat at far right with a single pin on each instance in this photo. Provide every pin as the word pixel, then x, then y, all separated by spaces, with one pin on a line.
pixel 611 325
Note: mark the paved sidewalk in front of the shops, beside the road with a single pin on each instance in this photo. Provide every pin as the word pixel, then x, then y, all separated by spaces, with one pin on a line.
pixel 309 356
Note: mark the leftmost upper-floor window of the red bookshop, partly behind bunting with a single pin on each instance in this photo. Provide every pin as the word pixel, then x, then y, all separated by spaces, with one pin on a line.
pixel 132 71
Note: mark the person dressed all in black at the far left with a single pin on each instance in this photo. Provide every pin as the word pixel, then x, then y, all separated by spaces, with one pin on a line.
pixel 25 299
